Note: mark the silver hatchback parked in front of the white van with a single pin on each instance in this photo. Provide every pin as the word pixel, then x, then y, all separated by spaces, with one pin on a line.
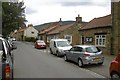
pixel 84 54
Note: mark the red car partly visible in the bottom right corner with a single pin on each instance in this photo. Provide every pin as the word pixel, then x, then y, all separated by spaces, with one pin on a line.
pixel 114 70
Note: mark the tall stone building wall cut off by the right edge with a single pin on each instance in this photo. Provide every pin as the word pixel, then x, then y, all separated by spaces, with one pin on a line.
pixel 115 9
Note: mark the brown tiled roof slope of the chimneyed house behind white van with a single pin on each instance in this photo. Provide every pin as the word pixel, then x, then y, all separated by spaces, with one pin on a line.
pixel 59 29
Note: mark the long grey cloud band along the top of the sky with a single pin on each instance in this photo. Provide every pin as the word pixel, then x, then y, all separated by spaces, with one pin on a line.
pixel 83 3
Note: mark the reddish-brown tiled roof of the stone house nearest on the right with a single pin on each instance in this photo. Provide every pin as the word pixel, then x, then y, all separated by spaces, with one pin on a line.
pixel 99 22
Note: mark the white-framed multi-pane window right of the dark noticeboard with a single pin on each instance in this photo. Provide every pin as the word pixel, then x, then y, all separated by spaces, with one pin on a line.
pixel 100 40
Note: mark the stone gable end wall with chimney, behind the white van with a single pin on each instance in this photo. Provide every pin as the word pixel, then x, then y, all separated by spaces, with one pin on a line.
pixel 72 33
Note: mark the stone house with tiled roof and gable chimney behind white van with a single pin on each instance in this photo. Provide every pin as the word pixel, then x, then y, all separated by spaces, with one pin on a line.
pixel 69 31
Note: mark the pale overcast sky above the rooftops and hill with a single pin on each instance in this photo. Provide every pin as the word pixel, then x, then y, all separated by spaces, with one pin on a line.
pixel 44 11
